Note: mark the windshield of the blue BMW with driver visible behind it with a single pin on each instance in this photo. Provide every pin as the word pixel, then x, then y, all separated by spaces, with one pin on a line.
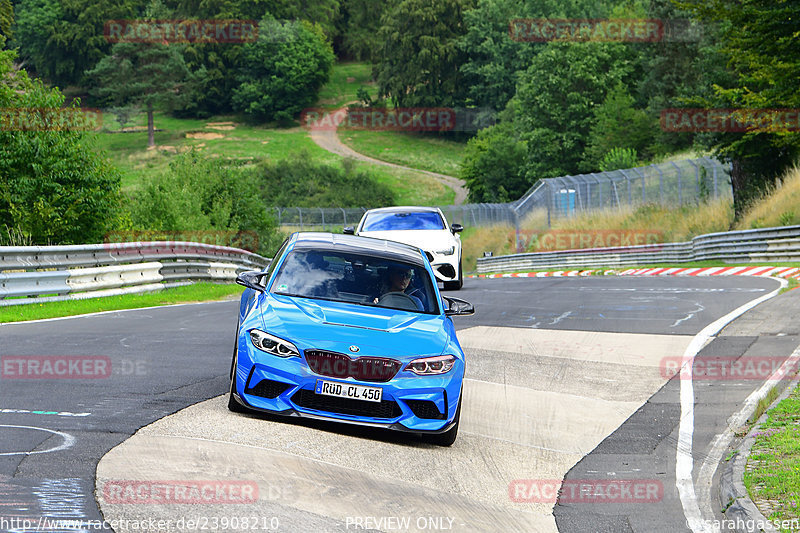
pixel 356 278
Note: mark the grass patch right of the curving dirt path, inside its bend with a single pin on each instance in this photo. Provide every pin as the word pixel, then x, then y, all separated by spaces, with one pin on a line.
pixel 425 152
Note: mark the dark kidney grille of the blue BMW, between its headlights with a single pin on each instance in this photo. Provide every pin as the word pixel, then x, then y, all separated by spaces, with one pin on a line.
pixel 339 365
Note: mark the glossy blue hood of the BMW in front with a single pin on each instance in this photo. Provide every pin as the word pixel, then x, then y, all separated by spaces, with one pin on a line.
pixel 336 326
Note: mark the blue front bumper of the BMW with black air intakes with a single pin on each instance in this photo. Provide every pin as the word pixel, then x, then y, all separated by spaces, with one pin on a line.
pixel 285 386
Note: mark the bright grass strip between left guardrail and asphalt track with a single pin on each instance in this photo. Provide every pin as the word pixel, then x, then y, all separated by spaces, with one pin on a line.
pixel 197 292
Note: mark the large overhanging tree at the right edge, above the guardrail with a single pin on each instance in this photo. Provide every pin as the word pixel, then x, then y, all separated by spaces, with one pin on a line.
pixel 759 39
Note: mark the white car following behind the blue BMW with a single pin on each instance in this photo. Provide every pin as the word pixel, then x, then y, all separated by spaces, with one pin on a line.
pixel 423 227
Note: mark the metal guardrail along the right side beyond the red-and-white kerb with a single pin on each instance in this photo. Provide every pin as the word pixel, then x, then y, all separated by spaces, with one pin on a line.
pixel 781 244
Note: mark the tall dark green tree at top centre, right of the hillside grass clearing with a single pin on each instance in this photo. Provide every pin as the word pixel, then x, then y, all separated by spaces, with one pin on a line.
pixel 420 56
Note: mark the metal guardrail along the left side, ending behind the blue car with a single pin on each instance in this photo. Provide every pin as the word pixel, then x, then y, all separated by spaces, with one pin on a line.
pixel 32 274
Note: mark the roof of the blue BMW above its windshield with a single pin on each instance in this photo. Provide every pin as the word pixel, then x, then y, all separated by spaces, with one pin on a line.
pixel 336 242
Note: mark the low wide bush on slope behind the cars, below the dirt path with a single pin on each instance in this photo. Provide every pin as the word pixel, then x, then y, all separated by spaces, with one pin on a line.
pixel 303 183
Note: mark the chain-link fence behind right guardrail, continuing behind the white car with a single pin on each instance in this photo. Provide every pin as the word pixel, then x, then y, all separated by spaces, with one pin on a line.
pixel 689 181
